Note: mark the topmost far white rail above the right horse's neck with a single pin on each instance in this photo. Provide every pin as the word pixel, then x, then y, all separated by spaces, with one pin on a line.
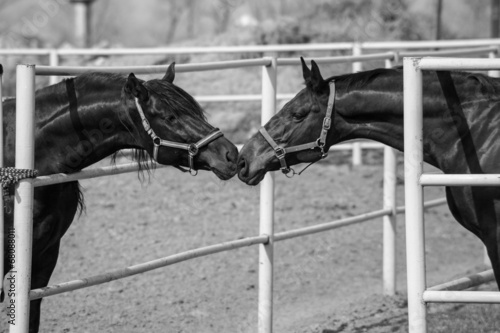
pixel 430 44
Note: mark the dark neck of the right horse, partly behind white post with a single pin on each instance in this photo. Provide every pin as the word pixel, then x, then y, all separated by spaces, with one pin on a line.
pixel 375 111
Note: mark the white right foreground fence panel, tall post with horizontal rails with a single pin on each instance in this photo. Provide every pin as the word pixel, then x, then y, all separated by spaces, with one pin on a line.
pixel 416 179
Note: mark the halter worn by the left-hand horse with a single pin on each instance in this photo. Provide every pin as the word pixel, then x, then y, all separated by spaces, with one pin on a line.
pixel 192 148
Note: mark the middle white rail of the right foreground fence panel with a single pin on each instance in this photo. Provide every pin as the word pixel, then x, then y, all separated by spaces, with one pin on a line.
pixel 460 180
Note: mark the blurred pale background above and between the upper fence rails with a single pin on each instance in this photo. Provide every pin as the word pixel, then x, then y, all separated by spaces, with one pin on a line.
pixel 158 23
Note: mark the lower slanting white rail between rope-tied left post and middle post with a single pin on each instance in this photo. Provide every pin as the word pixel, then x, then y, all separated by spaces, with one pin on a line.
pixel 145 267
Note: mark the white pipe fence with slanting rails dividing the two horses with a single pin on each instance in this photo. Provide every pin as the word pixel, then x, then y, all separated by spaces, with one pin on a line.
pixel 265 240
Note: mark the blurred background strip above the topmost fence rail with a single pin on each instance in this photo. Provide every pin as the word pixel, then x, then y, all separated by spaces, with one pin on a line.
pixel 151 23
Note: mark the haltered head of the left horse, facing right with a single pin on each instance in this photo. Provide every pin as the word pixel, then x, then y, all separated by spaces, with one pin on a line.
pixel 174 130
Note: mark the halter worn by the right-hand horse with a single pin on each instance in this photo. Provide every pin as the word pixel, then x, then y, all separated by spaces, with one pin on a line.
pixel 281 152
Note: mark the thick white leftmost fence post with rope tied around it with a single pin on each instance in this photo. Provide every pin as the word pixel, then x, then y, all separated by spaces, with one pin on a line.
pixel 23 204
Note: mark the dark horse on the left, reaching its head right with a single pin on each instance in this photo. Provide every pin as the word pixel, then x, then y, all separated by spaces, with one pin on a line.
pixel 83 120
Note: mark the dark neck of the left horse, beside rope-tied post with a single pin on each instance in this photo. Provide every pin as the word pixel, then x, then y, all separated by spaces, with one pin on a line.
pixel 63 146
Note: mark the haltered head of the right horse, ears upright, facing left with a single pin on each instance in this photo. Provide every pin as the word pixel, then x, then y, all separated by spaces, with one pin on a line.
pixel 293 135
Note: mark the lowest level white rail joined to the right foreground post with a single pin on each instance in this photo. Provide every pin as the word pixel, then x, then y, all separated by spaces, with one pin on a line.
pixel 434 296
